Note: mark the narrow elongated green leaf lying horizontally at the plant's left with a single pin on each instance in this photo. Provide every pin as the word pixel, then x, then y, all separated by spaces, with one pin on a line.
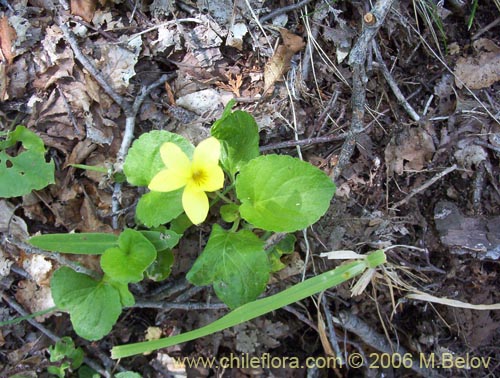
pixel 82 244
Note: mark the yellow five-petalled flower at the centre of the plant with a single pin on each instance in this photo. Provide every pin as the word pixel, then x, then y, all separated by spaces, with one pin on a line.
pixel 200 175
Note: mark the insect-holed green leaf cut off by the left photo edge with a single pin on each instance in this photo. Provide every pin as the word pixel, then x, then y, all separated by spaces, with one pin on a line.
pixel 28 170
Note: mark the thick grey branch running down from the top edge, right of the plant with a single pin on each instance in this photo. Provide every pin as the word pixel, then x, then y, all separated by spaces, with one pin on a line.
pixel 357 60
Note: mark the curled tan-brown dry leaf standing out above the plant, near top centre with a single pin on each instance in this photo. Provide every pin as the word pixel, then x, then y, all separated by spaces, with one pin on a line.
pixel 279 64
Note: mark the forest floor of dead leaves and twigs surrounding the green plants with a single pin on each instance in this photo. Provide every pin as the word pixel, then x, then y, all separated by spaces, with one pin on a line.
pixel 401 108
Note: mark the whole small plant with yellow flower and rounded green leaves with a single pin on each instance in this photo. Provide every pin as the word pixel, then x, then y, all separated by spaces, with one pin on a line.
pixel 261 194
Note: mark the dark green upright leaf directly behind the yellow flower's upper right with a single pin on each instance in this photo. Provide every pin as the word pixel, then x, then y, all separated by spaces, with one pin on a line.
pixel 239 135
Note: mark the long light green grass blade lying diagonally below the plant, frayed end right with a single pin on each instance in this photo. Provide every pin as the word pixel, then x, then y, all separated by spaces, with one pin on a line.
pixel 259 307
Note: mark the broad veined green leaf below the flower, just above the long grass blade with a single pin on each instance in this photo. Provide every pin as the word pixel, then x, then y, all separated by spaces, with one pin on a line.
pixel 235 263
